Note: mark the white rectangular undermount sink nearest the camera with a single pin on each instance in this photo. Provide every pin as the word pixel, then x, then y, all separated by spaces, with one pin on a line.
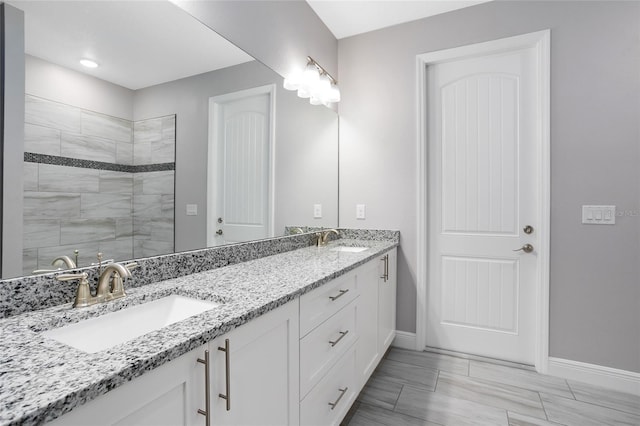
pixel 103 332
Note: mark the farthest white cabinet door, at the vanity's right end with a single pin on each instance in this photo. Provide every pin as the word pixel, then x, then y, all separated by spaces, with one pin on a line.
pixel 387 301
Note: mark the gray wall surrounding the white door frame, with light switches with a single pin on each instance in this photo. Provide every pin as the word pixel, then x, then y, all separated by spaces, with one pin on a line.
pixel 595 270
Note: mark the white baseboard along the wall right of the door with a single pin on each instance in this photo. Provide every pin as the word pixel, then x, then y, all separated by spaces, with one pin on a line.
pixel 619 380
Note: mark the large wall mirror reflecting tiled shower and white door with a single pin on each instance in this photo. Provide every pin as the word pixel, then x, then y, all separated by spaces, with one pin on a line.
pixel 178 140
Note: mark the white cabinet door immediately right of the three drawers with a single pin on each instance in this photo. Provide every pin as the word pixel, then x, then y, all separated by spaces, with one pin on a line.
pixel 367 350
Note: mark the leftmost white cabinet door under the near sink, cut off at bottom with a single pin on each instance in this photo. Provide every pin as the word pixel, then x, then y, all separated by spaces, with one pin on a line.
pixel 168 395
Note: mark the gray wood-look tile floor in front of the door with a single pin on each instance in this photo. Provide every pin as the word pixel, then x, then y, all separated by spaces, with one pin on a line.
pixel 429 389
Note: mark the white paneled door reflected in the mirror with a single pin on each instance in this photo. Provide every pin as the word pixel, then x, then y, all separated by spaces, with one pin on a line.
pixel 240 167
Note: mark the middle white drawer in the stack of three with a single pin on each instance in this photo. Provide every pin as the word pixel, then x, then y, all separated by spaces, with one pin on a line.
pixel 320 349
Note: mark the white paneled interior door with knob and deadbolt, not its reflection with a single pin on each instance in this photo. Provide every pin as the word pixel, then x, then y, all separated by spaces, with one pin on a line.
pixel 482 194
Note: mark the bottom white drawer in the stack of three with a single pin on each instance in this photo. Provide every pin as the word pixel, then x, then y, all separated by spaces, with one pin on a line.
pixel 329 401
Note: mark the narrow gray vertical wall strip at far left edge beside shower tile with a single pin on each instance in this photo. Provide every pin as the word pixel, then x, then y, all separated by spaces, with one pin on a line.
pixel 12 138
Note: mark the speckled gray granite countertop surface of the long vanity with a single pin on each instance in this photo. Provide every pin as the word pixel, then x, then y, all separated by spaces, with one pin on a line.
pixel 41 379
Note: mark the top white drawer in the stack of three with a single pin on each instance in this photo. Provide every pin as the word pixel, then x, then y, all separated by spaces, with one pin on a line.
pixel 323 302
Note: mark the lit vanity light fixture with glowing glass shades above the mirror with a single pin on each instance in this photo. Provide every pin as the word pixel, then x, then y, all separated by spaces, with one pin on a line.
pixel 315 83
